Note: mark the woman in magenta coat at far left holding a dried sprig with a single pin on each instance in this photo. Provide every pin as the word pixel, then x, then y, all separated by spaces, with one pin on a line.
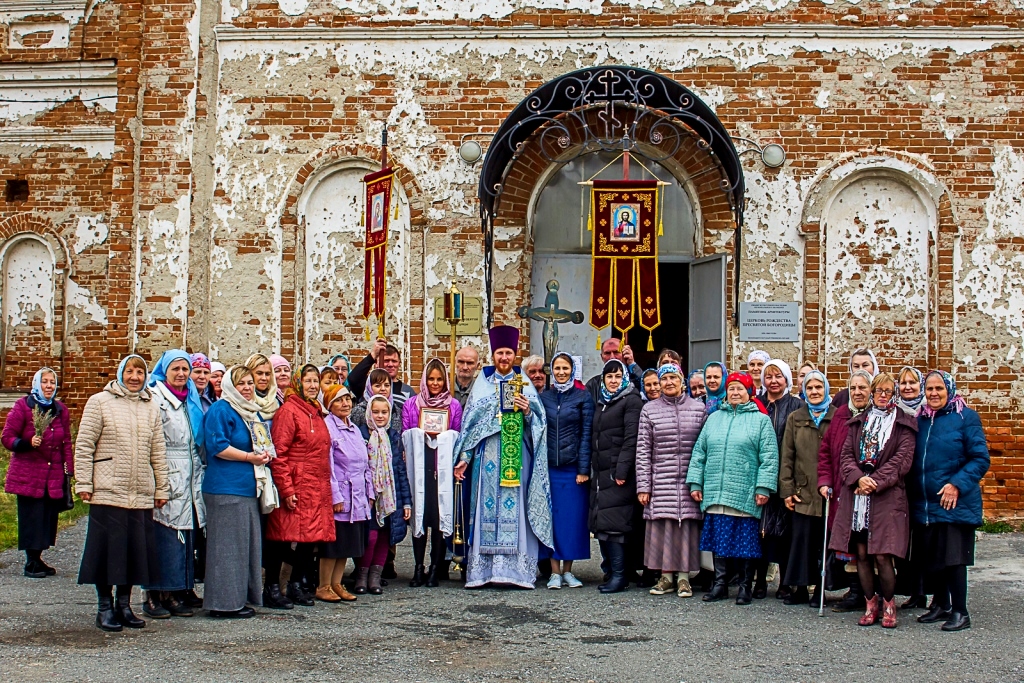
pixel 38 464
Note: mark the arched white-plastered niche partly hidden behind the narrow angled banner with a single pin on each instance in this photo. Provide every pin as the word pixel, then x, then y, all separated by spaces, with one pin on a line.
pixel 330 209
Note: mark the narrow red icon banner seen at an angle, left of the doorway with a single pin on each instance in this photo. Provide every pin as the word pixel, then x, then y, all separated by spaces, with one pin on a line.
pixel 377 219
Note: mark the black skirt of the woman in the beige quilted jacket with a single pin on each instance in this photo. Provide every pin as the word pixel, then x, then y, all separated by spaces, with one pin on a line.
pixel 119 546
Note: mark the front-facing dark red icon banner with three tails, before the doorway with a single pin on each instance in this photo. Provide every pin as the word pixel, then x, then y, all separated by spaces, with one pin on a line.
pixel 624 258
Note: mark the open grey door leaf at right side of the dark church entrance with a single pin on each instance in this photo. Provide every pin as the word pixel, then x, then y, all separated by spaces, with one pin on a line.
pixel 707 311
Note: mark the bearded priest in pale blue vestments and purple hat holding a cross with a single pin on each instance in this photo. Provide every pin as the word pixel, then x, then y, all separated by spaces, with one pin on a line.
pixel 504 441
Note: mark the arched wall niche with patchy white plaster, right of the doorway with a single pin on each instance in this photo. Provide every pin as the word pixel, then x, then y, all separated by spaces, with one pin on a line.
pixel 878 229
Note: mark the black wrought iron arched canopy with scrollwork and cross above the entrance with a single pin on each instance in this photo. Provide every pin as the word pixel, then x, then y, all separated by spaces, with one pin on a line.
pixel 560 110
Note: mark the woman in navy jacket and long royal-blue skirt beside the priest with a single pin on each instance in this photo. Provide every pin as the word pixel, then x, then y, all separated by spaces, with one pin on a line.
pixel 570 413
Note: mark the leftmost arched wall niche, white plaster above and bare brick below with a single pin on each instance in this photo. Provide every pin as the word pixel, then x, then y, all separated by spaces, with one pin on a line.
pixel 28 304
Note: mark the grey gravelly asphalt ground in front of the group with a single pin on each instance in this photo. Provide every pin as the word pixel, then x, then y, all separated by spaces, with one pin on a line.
pixel 451 634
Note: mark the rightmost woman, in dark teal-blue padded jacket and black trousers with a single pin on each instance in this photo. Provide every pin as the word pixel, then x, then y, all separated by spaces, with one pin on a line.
pixel 951 459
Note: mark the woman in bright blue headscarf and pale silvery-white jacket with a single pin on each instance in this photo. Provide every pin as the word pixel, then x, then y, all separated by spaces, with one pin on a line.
pixel 179 523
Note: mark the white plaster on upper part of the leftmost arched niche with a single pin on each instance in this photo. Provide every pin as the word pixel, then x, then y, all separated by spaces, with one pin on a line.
pixel 28 288
